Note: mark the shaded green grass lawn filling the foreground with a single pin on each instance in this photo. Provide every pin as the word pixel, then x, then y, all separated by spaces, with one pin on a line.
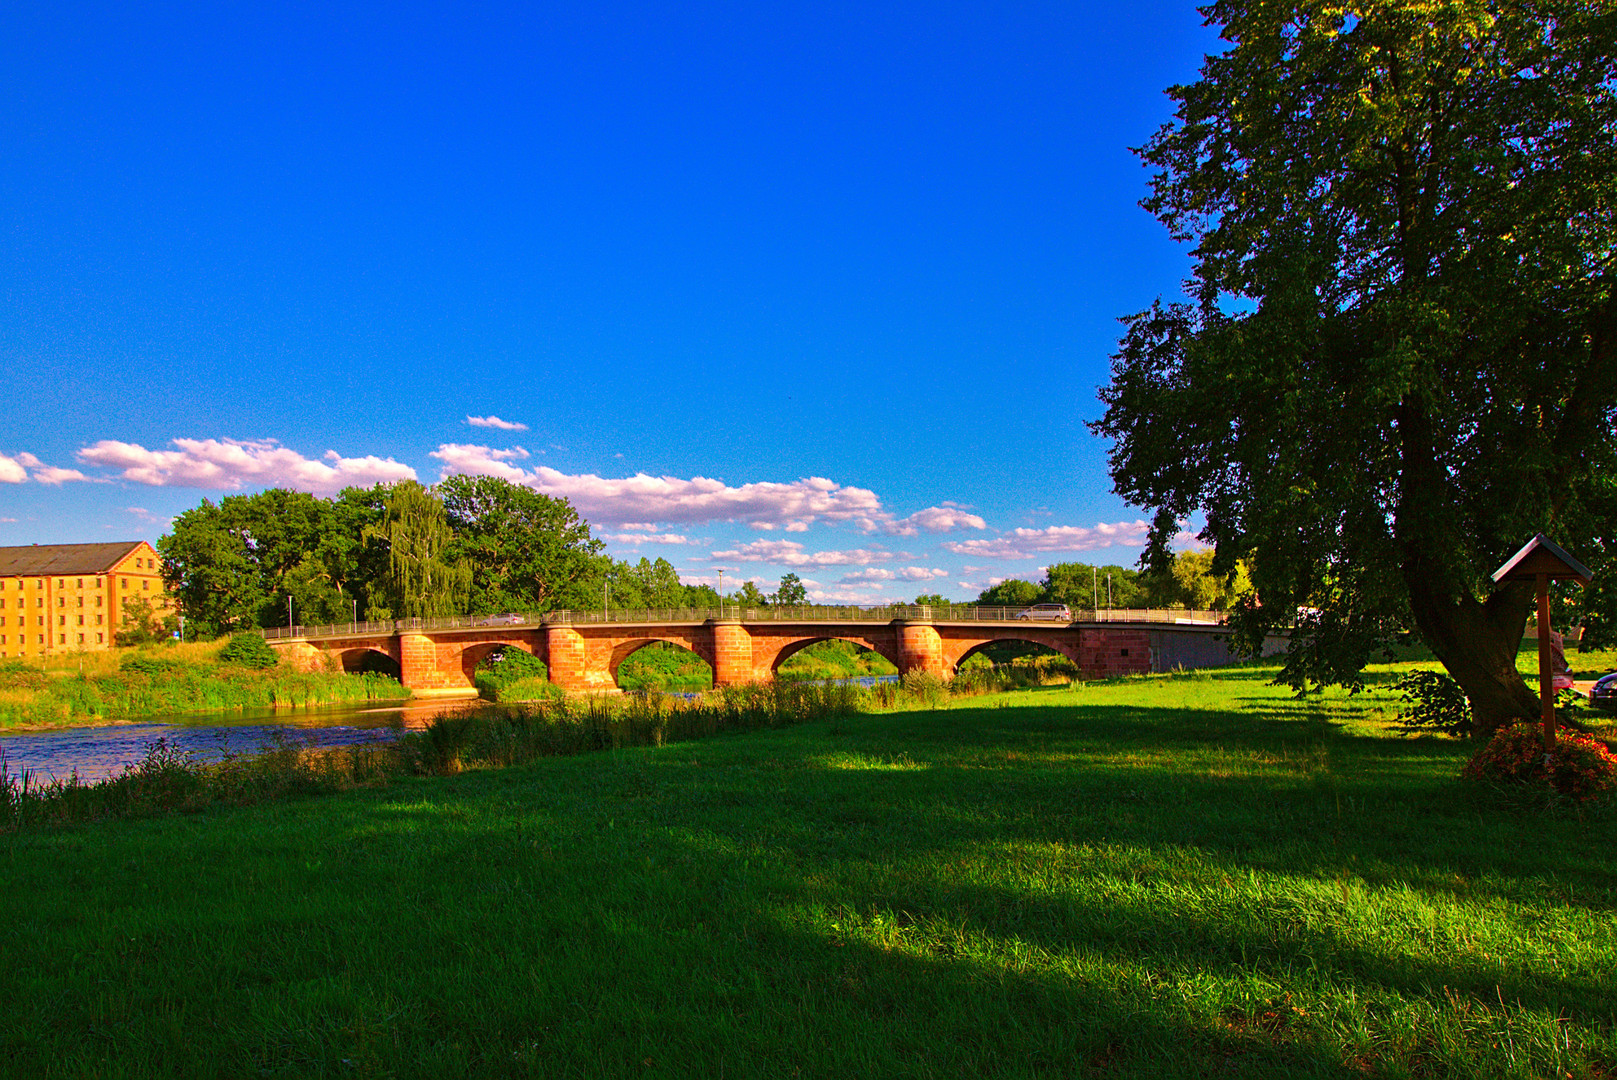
pixel 1194 875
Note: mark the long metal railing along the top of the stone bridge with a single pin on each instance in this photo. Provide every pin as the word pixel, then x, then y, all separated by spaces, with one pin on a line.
pixel 662 617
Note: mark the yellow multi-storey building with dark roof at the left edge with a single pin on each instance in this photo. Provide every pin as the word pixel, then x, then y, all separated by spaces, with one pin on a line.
pixel 64 597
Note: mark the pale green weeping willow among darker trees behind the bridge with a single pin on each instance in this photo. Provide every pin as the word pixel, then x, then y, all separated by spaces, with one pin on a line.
pixel 424 580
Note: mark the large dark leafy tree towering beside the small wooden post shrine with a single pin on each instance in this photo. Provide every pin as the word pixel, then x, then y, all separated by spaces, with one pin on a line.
pixel 1401 355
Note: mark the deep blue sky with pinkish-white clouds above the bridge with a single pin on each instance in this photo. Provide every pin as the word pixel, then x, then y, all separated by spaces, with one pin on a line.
pixel 775 289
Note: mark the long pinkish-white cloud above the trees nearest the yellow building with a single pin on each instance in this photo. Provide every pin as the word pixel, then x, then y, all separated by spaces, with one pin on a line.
pixel 227 465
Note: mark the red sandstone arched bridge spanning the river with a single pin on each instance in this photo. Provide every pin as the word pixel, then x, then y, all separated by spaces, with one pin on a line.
pixel 585 649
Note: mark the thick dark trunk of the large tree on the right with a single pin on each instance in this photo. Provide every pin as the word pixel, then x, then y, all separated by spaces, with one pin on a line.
pixel 1479 644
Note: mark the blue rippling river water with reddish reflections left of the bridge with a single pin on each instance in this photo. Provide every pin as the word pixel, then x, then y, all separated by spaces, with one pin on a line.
pixel 103 753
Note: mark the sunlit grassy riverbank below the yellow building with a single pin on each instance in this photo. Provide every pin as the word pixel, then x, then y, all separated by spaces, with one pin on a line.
pixel 130 685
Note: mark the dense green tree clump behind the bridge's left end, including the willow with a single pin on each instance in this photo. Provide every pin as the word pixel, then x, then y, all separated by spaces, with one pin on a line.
pixel 471 546
